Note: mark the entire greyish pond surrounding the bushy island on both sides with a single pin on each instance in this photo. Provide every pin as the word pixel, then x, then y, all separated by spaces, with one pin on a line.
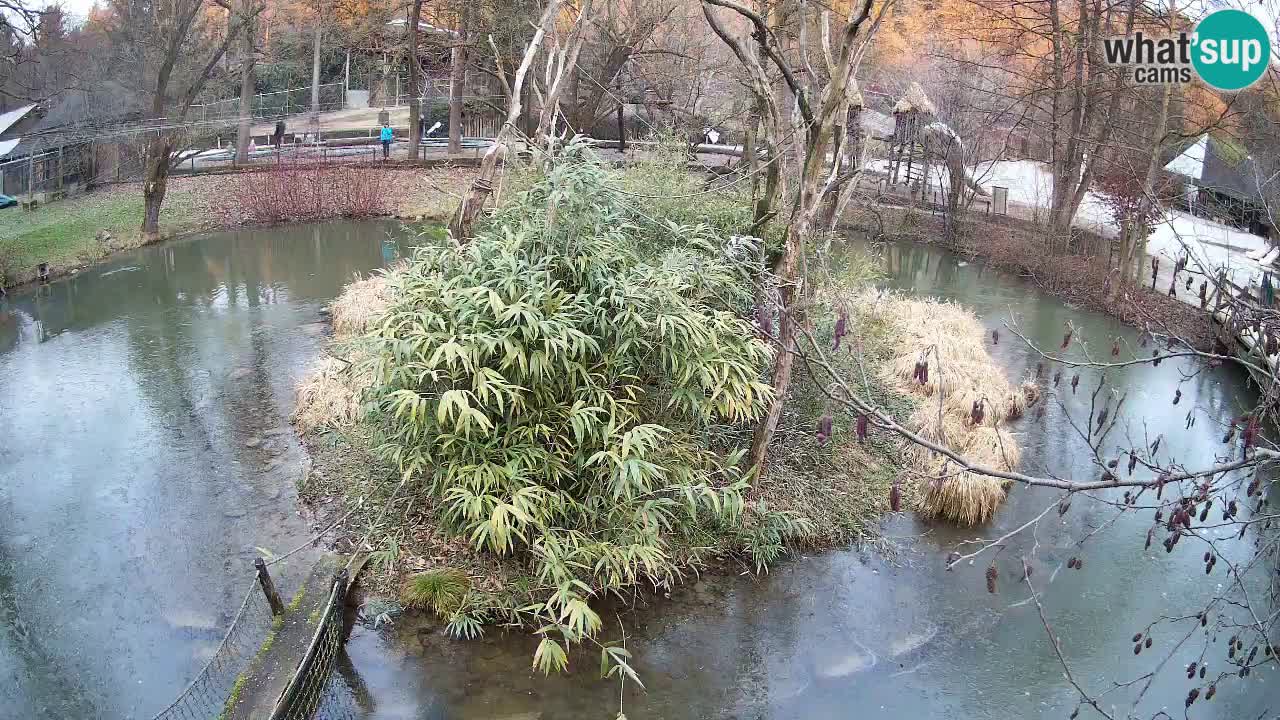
pixel 147 457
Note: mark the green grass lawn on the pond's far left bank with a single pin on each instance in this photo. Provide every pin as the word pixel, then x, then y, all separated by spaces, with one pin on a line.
pixel 65 234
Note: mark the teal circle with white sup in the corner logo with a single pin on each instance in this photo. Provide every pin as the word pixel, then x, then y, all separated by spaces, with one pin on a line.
pixel 1232 51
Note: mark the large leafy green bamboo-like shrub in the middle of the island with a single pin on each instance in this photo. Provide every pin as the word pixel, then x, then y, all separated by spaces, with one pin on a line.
pixel 556 382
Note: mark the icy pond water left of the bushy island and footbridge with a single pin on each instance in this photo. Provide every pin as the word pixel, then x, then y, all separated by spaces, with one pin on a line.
pixel 145 453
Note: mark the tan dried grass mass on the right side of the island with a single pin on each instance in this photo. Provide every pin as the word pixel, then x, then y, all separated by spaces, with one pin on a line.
pixel 962 373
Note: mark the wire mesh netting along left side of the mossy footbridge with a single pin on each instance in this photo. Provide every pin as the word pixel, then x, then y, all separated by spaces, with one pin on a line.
pixel 211 694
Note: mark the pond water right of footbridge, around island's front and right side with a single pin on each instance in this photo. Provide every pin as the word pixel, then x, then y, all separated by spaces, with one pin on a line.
pixel 845 635
